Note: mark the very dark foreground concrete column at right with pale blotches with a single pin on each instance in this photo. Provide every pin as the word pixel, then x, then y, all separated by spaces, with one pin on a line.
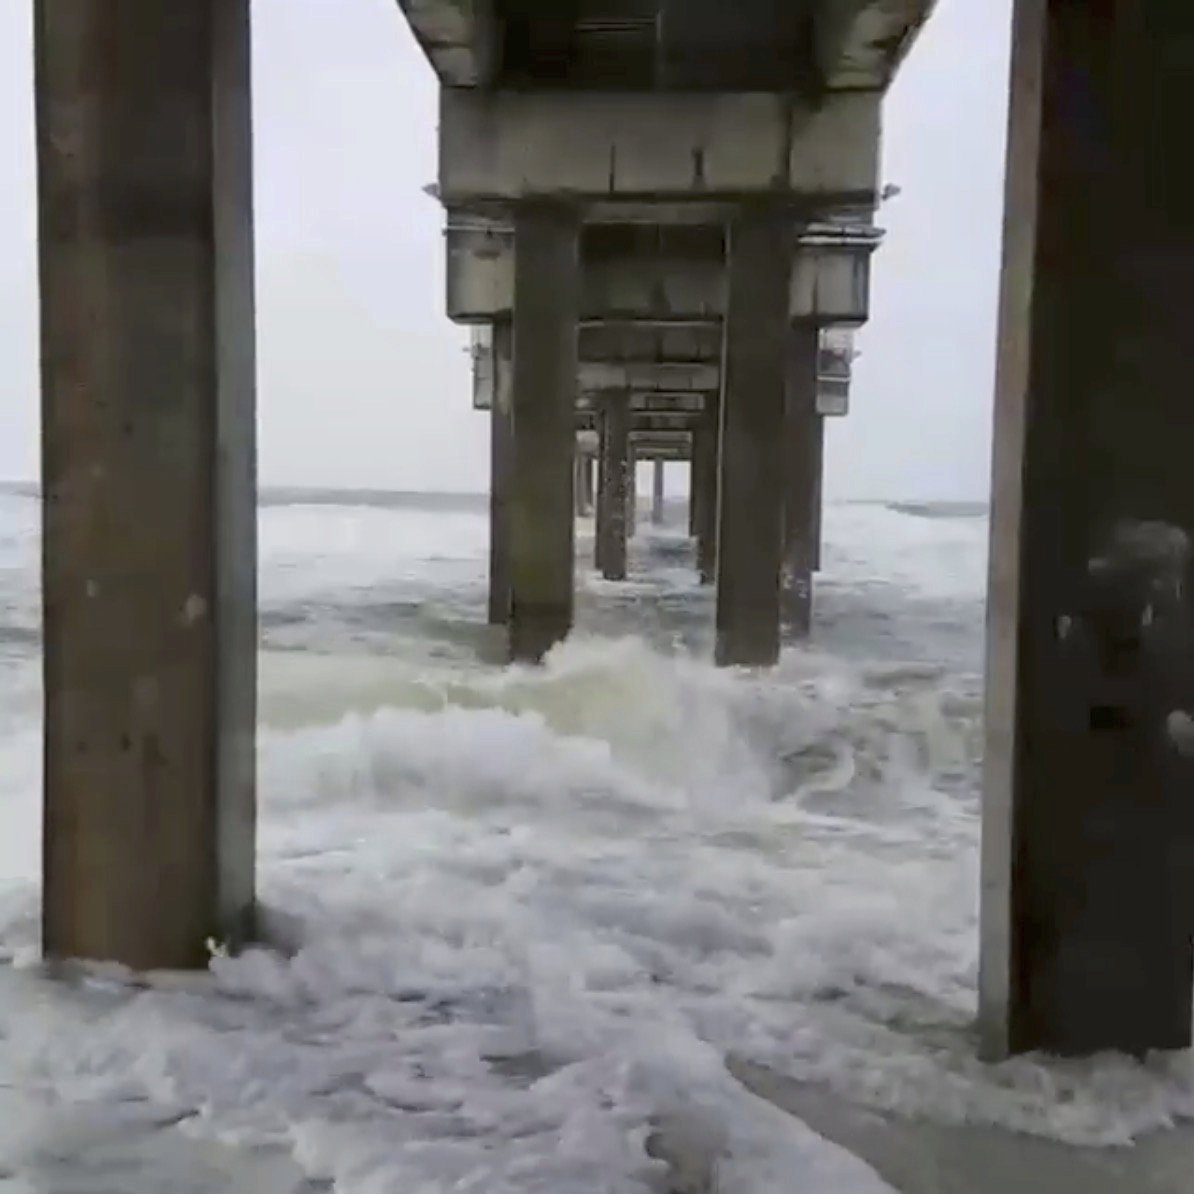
pixel 1088 835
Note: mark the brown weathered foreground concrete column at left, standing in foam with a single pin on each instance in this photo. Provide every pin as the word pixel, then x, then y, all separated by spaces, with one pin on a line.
pixel 150 569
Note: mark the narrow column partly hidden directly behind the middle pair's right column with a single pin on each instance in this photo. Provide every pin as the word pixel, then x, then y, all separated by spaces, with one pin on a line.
pixel 802 435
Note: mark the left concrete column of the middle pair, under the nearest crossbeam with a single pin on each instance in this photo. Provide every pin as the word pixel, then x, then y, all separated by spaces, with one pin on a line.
pixel 543 530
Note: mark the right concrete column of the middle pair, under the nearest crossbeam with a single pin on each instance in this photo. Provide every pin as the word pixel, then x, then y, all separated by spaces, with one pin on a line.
pixel 755 374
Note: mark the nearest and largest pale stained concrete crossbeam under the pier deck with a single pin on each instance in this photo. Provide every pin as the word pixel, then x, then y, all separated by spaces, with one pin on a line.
pixel 601 147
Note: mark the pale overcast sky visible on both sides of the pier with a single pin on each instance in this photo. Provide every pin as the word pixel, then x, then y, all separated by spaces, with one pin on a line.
pixel 362 379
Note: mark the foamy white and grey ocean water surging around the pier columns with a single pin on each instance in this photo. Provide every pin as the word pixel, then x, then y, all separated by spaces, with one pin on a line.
pixel 533 919
